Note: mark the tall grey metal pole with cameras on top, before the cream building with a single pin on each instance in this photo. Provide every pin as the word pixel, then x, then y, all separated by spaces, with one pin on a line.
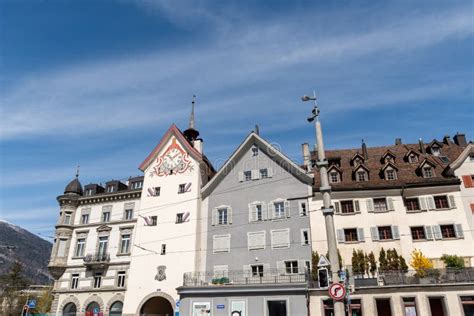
pixel 328 210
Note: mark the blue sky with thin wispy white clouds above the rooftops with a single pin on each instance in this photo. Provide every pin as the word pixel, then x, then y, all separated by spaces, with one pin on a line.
pixel 97 83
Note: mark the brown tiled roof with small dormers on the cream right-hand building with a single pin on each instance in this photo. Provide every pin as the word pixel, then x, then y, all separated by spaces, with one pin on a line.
pixel 408 174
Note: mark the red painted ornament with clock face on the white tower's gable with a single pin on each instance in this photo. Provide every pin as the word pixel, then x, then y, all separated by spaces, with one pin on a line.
pixel 173 161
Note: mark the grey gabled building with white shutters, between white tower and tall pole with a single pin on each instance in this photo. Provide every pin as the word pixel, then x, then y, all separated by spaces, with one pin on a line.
pixel 255 246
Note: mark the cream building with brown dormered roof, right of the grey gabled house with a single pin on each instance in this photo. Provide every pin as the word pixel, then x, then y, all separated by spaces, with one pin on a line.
pixel 401 197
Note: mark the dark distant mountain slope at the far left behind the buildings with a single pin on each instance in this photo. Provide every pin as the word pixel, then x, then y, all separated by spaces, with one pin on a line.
pixel 32 251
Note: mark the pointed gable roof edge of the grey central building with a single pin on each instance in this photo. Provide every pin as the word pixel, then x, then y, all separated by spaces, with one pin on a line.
pixel 251 140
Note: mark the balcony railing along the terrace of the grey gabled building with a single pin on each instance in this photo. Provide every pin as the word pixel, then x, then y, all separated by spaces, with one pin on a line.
pixel 229 278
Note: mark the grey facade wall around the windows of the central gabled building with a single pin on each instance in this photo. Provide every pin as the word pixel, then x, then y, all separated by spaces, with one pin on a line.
pixel 238 195
